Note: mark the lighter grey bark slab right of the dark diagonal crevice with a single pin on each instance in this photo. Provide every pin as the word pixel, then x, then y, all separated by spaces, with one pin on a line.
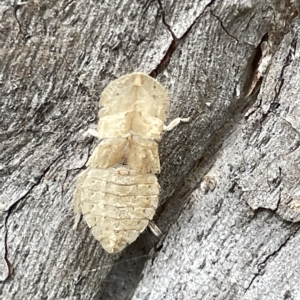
pixel 239 234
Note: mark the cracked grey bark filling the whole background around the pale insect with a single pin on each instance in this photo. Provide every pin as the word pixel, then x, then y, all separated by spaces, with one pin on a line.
pixel 212 56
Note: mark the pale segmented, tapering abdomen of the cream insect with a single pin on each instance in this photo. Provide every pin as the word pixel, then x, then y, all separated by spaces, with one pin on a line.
pixel 117 203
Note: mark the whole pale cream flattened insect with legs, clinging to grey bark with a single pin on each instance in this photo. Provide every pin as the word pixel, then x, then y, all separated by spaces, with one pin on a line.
pixel 118 192
